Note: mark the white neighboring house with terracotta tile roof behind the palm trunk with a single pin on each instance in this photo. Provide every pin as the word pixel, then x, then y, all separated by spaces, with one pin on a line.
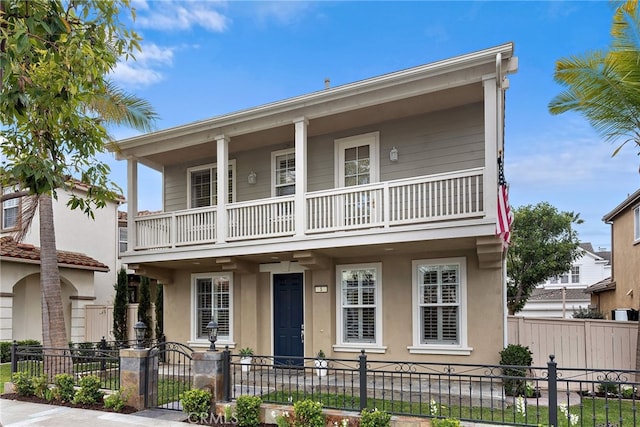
pixel 94 242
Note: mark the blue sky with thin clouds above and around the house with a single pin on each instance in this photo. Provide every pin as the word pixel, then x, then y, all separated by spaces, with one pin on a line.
pixel 202 59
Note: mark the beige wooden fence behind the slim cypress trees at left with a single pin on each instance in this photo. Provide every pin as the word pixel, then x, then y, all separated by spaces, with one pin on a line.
pixel 99 322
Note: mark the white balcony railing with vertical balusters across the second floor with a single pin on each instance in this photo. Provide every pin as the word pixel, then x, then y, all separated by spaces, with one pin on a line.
pixel 442 197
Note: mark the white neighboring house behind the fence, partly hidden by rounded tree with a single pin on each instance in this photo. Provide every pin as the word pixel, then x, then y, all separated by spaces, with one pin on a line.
pixel 560 296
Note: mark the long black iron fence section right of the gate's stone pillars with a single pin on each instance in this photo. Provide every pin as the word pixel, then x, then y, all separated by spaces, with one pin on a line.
pixel 494 394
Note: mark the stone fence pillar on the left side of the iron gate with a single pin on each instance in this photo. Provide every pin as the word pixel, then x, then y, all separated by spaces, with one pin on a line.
pixel 138 376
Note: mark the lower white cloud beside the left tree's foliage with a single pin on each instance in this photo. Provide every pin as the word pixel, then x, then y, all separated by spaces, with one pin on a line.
pixel 142 71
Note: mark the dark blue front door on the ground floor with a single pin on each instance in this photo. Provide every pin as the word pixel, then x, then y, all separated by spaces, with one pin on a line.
pixel 288 319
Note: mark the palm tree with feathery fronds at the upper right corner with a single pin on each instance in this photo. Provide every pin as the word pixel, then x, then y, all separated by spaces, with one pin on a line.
pixel 604 86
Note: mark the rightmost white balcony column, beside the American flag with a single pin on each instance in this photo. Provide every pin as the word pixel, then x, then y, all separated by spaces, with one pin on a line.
pixel 491 132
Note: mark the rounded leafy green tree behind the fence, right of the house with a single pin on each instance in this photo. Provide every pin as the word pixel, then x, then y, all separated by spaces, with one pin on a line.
pixel 543 244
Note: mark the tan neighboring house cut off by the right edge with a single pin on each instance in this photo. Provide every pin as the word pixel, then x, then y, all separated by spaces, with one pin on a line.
pixel 618 298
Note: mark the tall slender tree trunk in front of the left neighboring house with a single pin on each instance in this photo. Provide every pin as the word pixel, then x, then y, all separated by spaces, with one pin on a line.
pixel 54 332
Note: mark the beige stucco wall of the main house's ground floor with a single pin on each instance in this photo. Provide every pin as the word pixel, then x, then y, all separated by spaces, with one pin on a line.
pixel 253 312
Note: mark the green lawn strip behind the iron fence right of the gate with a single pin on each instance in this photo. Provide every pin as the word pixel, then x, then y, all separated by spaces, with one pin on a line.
pixel 616 412
